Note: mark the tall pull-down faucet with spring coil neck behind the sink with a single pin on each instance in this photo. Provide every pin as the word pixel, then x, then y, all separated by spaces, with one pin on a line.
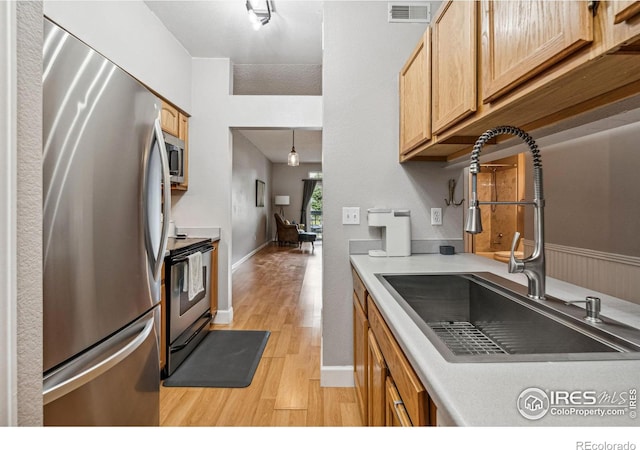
pixel 534 266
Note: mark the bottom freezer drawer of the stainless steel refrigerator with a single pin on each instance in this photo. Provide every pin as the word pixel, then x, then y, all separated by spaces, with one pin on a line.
pixel 115 384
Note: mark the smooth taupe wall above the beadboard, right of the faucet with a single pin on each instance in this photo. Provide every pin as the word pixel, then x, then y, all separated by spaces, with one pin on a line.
pixel 592 192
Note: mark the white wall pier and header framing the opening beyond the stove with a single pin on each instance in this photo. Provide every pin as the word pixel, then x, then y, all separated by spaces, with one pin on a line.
pixel 215 112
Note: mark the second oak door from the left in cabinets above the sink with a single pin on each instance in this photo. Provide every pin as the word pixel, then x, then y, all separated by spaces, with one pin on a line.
pixel 454 64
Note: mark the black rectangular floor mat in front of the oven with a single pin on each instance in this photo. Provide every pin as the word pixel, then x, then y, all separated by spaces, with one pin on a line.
pixel 224 358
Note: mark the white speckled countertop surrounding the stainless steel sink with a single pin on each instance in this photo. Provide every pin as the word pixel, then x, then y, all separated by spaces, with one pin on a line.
pixel 486 394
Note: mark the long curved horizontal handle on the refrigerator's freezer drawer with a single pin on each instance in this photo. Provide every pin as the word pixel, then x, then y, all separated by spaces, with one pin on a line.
pixel 78 374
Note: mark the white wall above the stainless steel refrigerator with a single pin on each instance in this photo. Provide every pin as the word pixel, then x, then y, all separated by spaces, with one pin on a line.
pixel 131 36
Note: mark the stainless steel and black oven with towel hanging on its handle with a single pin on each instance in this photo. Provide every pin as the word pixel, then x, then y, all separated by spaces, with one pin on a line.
pixel 187 320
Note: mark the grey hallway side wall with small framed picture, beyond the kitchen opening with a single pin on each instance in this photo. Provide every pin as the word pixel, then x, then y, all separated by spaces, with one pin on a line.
pixel 251 224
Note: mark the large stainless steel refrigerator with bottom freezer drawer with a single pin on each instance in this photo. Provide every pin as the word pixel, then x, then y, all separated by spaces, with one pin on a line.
pixel 104 166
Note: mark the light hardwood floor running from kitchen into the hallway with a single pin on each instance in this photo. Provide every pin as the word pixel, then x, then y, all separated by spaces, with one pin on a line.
pixel 280 290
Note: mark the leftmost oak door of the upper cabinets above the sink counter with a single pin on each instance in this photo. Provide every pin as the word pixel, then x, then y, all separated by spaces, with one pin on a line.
pixel 415 97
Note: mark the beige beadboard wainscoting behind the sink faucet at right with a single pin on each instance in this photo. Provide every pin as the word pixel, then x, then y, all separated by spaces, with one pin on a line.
pixel 609 273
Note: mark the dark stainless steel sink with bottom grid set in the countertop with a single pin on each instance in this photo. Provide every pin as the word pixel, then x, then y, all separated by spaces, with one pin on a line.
pixel 481 317
